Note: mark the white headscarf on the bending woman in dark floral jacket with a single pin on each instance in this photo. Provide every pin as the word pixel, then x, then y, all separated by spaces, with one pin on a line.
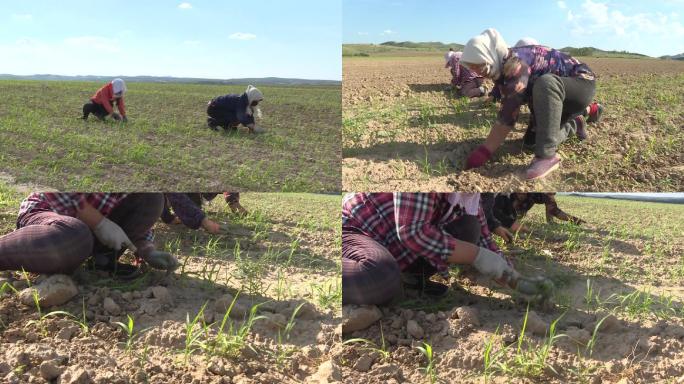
pixel 486 48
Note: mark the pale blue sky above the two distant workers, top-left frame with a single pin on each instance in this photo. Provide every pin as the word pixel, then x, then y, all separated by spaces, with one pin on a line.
pixel 194 38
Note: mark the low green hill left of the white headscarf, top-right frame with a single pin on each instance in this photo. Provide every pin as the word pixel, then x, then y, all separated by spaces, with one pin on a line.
pixel 401 48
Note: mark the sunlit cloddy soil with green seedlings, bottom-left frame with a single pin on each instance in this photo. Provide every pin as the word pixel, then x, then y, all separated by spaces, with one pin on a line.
pixel 280 263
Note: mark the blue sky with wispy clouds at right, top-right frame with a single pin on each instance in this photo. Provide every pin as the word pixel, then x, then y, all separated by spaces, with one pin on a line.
pixel 654 28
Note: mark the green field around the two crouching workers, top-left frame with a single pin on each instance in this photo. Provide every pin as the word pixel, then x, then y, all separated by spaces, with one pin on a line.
pixel 166 144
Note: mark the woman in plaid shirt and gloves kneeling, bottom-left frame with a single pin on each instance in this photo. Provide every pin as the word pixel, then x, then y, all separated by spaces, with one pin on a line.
pixel 57 232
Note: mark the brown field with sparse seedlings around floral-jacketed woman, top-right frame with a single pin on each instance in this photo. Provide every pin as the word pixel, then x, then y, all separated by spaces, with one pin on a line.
pixel 403 131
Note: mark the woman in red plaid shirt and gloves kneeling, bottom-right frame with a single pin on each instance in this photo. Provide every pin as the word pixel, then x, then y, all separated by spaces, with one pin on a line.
pixel 392 241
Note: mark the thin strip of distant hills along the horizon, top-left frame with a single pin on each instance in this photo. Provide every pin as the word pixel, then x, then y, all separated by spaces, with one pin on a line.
pixel 169 79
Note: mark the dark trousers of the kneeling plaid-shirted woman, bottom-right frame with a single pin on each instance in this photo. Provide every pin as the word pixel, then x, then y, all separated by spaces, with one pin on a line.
pixel 371 275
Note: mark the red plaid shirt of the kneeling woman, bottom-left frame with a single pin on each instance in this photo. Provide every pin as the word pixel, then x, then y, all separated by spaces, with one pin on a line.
pixel 68 204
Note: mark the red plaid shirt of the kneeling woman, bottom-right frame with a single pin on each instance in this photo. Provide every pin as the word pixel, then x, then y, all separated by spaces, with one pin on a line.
pixel 409 225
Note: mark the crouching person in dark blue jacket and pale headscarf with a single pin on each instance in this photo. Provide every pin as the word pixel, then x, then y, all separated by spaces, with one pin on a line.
pixel 231 110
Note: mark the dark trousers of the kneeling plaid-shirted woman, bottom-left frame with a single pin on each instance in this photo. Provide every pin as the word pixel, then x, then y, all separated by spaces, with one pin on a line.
pixel 52 243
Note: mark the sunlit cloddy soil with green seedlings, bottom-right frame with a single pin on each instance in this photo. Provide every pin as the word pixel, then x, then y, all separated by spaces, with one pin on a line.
pixel 617 315
